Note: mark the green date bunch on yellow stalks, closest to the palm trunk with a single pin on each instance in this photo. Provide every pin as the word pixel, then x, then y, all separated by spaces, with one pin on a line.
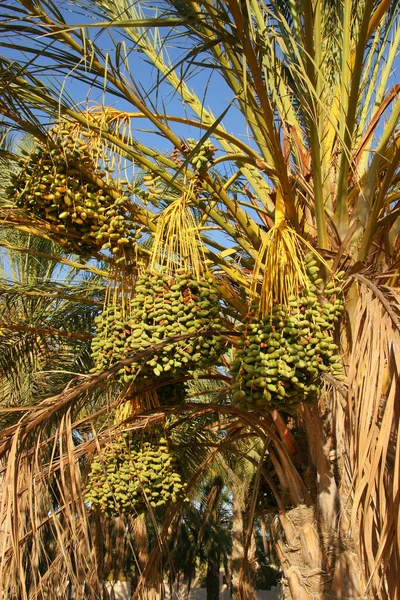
pixel 287 343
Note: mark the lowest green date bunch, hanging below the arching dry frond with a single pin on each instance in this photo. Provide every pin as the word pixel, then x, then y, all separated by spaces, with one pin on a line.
pixel 128 475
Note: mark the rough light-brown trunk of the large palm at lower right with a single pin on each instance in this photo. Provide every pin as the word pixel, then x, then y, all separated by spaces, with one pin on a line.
pixel 318 559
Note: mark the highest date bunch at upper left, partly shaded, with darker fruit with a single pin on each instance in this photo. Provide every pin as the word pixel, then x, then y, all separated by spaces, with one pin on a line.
pixel 54 185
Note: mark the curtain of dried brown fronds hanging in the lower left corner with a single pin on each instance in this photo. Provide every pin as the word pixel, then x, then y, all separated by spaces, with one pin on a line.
pixel 51 541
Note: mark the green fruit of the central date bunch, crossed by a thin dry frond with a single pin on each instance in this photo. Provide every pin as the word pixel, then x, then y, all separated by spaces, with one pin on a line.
pixel 165 307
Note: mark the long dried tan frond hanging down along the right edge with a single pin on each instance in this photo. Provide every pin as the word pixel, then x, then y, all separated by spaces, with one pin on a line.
pixel 369 432
